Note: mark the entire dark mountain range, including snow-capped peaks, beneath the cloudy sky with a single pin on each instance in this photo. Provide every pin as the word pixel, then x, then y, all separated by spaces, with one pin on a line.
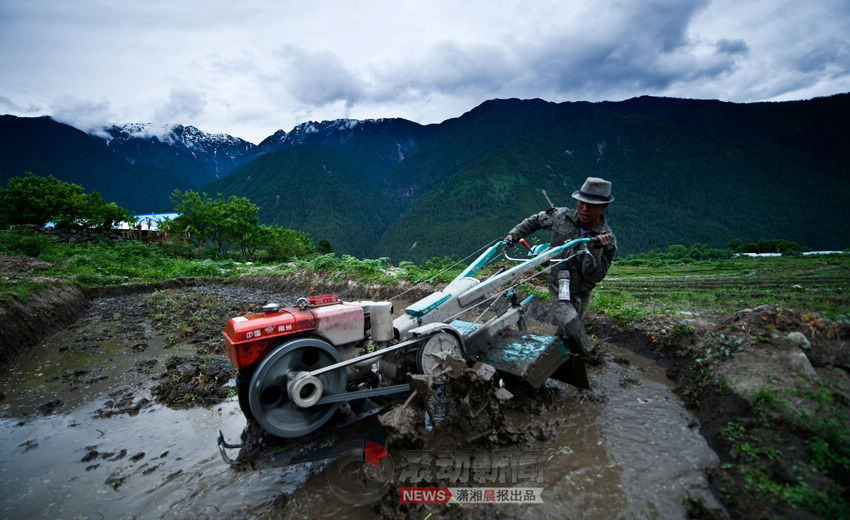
pixel 684 171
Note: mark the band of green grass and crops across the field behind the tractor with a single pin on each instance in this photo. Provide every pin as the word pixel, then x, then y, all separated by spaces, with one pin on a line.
pixel 634 287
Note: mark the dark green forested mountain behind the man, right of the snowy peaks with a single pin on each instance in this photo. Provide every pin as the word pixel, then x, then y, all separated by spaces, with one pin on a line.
pixel 684 171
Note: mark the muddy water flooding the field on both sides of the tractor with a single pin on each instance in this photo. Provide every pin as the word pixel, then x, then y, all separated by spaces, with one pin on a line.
pixel 625 449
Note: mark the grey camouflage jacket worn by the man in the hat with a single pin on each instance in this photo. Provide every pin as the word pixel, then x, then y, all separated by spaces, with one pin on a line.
pixel 586 270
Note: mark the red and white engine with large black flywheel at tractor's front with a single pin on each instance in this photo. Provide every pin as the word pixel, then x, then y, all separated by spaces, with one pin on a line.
pixel 271 349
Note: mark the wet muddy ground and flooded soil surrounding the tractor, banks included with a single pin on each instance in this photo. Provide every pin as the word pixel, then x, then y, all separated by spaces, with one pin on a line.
pixel 118 410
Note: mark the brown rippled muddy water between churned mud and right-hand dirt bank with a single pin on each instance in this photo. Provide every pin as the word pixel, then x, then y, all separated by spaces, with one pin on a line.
pixel 632 453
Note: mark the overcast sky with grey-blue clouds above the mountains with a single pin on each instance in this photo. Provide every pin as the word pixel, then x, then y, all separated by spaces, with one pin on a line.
pixel 249 68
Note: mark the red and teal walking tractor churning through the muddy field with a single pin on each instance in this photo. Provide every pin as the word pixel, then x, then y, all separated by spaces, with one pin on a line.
pixel 298 364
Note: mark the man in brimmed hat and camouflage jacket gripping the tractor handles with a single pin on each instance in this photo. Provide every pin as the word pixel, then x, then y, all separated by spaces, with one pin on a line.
pixel 570 282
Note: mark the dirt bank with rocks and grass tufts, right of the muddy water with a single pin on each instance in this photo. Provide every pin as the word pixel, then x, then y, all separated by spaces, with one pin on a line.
pixel 771 390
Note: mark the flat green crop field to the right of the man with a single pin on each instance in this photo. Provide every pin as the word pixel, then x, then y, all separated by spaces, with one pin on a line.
pixel 819 283
